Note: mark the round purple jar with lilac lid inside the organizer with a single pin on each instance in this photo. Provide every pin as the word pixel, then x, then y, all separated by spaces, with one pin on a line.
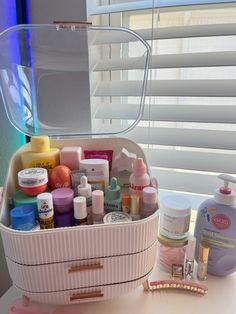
pixel 63 200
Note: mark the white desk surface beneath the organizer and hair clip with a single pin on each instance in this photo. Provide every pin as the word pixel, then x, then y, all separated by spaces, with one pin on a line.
pixel 220 299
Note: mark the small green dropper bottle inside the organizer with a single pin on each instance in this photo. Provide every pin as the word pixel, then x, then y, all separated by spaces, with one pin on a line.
pixel 112 197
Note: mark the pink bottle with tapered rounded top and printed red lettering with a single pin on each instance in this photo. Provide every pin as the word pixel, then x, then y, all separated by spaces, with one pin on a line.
pixel 139 178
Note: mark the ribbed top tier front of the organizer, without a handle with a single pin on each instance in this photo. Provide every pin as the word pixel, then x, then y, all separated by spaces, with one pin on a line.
pixel 82 242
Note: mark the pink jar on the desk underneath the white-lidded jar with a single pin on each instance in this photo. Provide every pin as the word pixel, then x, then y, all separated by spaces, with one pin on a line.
pixel 170 252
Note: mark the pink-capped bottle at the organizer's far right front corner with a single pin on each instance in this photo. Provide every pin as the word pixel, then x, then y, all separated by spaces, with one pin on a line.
pixel 149 202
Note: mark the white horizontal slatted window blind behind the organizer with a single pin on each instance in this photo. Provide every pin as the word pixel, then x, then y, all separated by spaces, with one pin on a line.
pixel 188 128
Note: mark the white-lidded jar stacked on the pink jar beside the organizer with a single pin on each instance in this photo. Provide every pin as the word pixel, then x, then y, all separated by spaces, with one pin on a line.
pixel 175 212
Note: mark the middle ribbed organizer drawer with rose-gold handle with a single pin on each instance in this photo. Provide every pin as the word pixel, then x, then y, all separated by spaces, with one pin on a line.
pixel 83 273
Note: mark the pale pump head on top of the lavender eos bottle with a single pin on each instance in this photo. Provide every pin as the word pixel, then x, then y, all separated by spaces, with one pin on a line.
pixel 224 195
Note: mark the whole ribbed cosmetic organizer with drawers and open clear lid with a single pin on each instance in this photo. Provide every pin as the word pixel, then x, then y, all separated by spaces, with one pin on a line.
pixel 74 264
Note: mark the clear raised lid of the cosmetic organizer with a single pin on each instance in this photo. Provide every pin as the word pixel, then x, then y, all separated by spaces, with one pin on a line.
pixel 71 81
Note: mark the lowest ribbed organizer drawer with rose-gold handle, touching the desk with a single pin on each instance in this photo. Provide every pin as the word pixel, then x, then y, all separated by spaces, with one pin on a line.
pixel 74 296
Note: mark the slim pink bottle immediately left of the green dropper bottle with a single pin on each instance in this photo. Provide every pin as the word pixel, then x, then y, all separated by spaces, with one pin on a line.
pixel 97 206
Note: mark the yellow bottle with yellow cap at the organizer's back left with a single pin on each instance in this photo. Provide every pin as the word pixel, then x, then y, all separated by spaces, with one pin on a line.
pixel 40 154
